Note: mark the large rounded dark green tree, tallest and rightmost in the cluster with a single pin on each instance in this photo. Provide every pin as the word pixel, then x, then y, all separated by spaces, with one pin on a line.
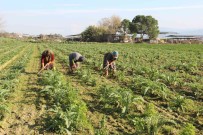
pixel 145 25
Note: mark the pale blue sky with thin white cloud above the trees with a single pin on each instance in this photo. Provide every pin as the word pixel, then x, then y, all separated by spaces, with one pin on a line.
pixel 68 17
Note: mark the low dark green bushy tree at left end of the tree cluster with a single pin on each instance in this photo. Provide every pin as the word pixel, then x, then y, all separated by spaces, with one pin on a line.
pixel 92 34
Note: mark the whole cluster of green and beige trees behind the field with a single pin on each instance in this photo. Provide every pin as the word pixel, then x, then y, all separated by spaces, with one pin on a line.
pixel 140 24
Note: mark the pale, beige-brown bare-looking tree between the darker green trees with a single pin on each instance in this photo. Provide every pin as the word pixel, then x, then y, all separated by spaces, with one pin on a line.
pixel 110 25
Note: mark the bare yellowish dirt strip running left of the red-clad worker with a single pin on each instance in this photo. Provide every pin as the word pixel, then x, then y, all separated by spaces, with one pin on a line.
pixel 25 102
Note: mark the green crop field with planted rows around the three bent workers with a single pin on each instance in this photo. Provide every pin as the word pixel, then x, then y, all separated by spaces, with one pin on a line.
pixel 157 90
